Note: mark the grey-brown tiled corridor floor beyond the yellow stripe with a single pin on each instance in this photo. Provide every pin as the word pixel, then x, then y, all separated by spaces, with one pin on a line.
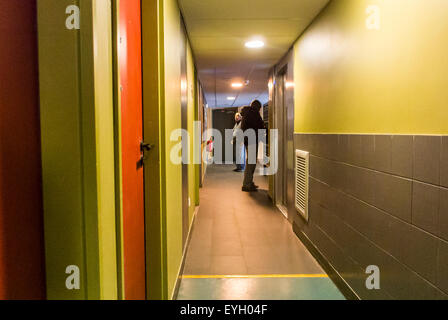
pixel 239 233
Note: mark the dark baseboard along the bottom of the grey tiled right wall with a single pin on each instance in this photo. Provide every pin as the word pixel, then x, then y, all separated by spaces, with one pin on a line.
pixel 342 285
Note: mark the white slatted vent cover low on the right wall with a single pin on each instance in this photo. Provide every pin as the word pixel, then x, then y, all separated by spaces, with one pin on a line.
pixel 302 182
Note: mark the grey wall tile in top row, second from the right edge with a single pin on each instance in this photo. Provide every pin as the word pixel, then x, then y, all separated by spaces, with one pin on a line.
pixel 427 158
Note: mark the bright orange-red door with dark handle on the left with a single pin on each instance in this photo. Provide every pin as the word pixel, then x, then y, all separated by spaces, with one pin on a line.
pixel 129 59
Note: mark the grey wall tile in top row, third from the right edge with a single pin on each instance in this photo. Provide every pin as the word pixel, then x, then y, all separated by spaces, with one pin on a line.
pixel 402 155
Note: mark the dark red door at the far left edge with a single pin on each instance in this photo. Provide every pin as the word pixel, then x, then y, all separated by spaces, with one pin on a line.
pixel 22 259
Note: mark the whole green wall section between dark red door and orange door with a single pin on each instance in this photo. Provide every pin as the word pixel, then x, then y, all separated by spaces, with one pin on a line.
pixel 75 70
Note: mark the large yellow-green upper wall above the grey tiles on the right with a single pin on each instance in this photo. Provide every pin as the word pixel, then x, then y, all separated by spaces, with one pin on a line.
pixel 349 79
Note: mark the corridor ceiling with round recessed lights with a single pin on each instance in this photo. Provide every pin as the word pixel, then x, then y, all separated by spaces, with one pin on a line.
pixel 219 29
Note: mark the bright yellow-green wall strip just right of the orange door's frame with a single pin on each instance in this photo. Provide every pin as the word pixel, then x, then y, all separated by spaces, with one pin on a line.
pixel 172 173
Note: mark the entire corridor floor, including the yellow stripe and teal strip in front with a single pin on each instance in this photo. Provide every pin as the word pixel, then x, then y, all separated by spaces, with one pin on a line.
pixel 242 247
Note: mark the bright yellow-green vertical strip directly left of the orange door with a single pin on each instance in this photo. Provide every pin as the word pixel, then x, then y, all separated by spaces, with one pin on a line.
pixel 104 124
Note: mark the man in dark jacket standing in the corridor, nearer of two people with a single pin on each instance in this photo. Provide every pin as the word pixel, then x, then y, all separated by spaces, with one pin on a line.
pixel 252 122
